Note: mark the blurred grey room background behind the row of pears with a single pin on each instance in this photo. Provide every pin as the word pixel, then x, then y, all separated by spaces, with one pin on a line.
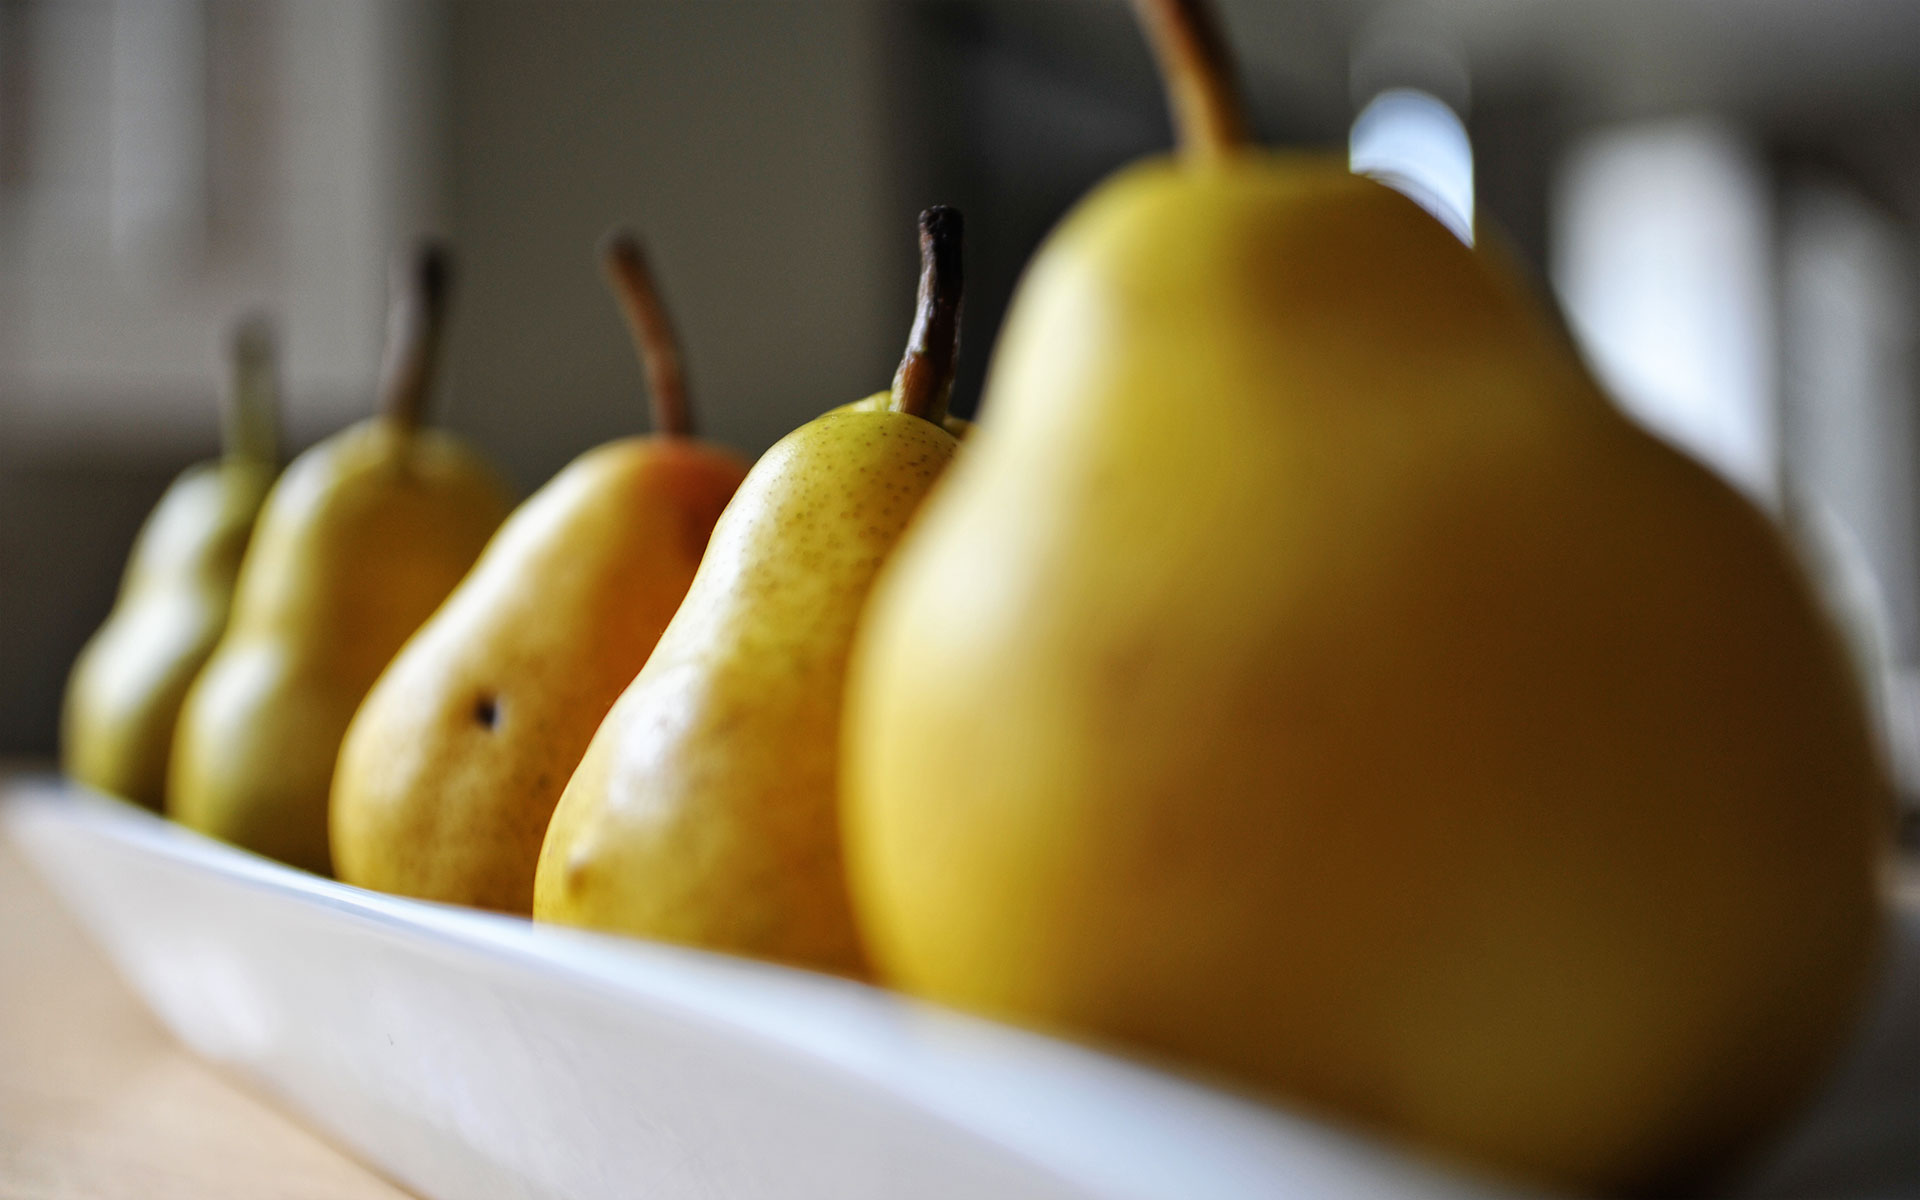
pixel 1725 197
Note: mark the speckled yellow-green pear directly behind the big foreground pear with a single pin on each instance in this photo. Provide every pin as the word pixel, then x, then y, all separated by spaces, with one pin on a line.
pixel 708 805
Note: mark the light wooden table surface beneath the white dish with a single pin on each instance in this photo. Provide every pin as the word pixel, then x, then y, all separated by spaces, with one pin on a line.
pixel 99 1103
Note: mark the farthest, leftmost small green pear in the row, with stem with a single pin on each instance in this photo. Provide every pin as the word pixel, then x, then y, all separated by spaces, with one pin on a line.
pixel 126 692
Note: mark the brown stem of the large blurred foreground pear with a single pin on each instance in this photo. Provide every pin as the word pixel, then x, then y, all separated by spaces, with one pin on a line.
pixel 1209 116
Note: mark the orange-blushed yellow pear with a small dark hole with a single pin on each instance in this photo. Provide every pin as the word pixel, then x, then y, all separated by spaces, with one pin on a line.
pixel 452 767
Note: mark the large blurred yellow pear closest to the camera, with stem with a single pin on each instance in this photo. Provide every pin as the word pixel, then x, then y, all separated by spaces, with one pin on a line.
pixel 1310 677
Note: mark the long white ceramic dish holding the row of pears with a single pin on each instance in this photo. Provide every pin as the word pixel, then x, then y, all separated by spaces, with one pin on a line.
pixel 473 1055
